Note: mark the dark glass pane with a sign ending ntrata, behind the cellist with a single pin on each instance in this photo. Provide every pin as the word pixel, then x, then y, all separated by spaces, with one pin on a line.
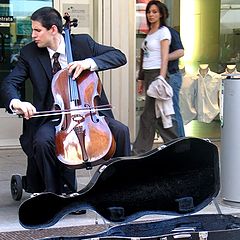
pixel 15 32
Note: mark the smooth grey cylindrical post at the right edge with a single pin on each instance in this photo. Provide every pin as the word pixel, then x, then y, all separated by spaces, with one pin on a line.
pixel 230 141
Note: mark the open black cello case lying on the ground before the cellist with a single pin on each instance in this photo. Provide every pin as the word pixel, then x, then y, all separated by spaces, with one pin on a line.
pixel 179 179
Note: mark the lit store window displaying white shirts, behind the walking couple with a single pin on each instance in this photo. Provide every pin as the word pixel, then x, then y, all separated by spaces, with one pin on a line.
pixel 210 34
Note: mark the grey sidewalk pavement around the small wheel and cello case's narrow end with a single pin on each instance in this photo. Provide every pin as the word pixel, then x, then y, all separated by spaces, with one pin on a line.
pixel 13 161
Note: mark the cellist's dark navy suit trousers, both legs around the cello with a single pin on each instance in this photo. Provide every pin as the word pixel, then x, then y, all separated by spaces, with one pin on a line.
pixel 45 172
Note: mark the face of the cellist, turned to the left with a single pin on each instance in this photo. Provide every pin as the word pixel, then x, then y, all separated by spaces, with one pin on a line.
pixel 41 36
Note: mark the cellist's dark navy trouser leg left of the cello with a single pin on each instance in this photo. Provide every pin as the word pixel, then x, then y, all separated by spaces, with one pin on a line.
pixel 45 173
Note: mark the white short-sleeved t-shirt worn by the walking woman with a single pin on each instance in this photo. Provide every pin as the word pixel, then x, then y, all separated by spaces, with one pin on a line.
pixel 152 48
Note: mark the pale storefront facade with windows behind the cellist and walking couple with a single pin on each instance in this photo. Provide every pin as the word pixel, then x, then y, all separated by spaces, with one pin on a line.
pixel 209 32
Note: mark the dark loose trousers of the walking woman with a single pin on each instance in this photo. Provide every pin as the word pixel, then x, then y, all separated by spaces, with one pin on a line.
pixel 149 124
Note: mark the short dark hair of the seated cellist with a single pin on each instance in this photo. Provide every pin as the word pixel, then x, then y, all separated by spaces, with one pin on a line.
pixel 48 16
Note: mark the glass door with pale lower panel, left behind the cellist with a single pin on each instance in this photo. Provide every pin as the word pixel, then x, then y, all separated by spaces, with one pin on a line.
pixel 15 32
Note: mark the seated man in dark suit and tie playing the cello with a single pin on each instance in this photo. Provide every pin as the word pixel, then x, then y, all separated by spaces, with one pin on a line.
pixel 44 171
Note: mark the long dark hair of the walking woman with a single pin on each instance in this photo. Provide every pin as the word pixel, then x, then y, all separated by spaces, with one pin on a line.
pixel 162 8
